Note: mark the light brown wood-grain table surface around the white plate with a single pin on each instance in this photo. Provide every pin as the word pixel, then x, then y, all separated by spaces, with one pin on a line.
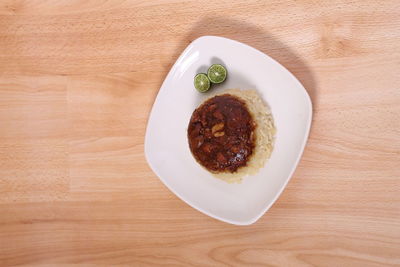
pixel 78 80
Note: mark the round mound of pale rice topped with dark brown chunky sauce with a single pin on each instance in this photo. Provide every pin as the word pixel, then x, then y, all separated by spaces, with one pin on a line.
pixel 231 134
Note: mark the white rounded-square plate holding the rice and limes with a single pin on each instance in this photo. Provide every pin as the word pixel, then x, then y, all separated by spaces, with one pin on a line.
pixel 166 145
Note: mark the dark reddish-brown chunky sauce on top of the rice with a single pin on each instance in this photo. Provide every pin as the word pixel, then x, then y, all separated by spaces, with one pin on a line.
pixel 220 134
